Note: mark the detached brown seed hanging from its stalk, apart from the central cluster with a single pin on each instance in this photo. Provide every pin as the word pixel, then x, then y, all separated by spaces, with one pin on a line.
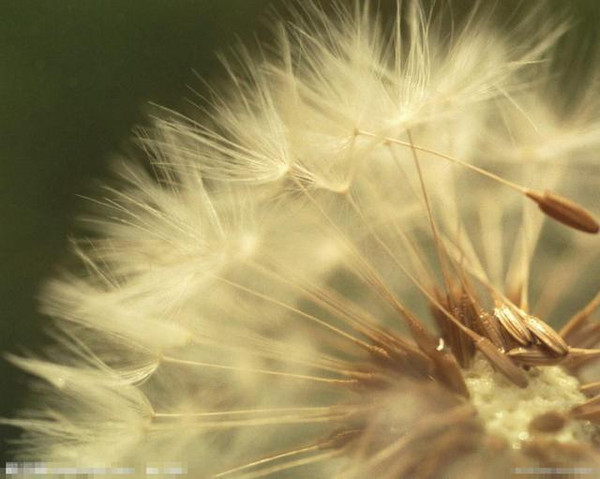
pixel 565 211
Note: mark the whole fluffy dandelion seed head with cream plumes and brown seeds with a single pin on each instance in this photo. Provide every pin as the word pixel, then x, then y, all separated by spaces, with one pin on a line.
pixel 358 262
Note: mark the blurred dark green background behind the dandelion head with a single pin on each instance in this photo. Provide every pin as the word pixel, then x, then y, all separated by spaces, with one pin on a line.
pixel 76 77
